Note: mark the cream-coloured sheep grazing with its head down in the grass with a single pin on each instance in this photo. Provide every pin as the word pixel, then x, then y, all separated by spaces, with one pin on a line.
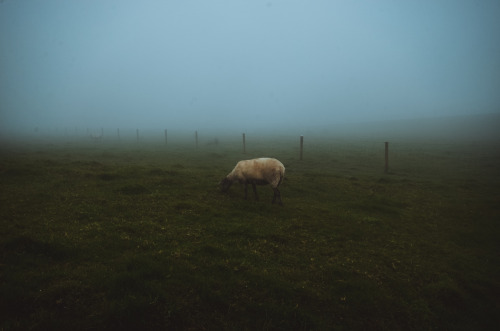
pixel 259 171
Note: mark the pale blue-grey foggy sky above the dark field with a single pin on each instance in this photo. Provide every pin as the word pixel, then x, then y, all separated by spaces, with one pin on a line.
pixel 245 64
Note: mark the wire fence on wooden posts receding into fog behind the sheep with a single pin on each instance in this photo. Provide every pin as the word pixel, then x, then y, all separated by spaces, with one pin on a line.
pixel 396 155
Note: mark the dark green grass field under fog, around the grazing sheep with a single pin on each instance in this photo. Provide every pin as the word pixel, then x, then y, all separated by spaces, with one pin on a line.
pixel 137 236
